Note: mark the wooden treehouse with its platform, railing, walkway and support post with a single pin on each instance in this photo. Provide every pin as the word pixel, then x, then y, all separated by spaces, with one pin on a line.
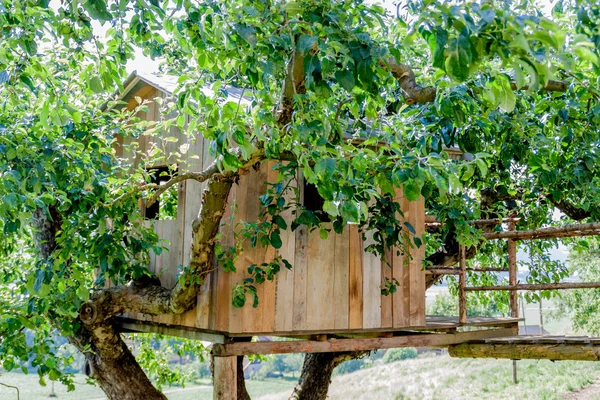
pixel 331 298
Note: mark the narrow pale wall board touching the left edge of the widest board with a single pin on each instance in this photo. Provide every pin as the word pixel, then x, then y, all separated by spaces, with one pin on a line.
pixel 300 279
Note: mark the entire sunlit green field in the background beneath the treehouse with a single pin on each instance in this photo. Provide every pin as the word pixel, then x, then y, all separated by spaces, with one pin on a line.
pixel 428 377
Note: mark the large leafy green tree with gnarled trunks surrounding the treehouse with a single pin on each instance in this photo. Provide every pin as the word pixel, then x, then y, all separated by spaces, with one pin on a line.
pixel 510 85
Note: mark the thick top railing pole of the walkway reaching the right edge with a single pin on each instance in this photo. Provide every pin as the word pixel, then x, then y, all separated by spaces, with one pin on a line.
pixel 590 229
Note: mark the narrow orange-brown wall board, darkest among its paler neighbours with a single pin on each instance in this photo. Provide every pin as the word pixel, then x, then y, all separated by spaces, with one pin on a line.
pixel 355 301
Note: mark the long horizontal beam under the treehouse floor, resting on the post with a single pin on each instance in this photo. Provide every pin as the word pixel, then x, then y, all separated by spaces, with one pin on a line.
pixel 313 346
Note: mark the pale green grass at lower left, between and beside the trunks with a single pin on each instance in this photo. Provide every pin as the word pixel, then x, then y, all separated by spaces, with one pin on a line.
pixel 30 389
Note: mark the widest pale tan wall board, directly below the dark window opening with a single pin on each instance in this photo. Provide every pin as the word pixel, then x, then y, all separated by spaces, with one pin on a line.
pixel 320 283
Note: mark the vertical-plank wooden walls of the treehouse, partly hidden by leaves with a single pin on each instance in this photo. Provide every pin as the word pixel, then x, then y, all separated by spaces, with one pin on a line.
pixel 334 285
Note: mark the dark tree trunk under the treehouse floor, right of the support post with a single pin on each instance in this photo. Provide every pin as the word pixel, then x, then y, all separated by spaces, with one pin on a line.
pixel 316 374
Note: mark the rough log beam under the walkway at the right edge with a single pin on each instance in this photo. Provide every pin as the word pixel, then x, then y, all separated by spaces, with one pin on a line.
pixel 514 351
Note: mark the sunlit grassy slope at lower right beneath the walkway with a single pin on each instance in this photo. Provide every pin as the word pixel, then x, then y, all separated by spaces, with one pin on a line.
pixel 443 377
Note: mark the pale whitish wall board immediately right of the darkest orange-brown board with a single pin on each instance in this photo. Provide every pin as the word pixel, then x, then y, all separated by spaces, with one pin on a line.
pixel 371 286
